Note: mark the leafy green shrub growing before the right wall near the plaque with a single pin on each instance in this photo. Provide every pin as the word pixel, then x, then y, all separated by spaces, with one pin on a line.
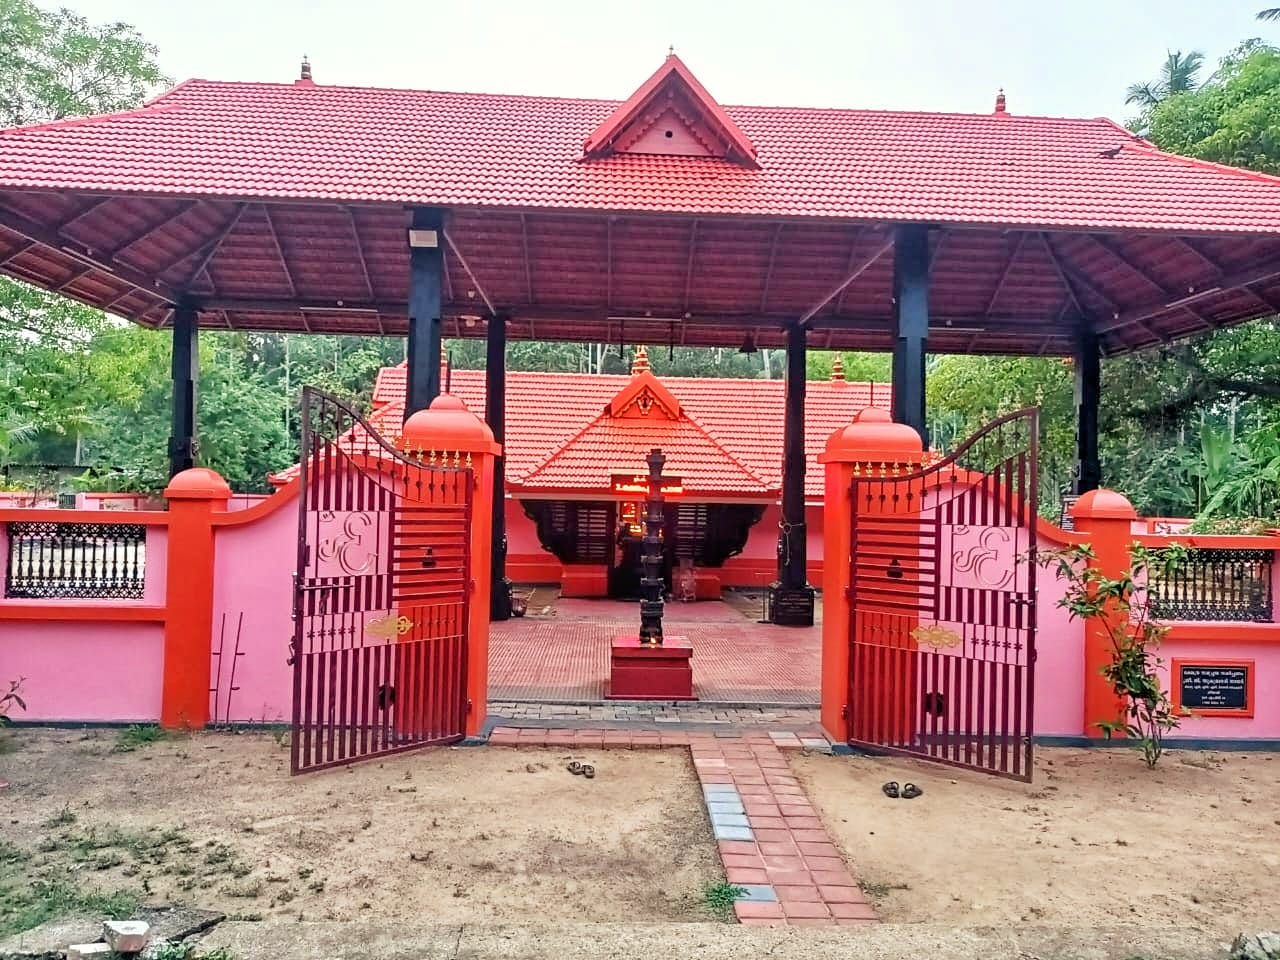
pixel 1121 609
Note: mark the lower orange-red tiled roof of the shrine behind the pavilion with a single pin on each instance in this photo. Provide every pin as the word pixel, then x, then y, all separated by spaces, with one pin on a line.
pixel 563 413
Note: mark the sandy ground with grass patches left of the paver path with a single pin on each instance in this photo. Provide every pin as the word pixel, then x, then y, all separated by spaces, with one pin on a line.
pixel 444 835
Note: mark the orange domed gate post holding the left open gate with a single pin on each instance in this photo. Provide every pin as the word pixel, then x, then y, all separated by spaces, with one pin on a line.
pixel 452 435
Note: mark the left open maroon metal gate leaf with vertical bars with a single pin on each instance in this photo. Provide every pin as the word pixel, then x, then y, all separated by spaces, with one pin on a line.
pixel 381 595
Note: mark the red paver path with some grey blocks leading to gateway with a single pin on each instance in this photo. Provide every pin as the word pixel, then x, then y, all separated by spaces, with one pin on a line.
pixel 770 838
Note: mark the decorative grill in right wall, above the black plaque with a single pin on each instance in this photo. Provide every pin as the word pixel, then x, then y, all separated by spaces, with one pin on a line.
pixel 1217 584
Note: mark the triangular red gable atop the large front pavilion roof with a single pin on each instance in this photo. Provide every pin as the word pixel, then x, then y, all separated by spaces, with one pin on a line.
pixel 673 115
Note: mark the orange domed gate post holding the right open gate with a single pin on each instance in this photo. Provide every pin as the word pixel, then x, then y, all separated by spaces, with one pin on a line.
pixel 871 442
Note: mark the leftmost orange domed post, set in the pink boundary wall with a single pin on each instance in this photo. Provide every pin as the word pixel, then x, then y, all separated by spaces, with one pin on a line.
pixel 194 496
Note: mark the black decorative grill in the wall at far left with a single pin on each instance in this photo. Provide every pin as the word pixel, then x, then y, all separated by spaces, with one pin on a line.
pixel 76 561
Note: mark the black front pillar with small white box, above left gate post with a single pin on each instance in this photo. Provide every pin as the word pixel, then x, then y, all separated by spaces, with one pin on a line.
pixel 426 269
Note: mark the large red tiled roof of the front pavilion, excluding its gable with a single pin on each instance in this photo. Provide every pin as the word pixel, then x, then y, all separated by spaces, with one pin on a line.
pixel 403 147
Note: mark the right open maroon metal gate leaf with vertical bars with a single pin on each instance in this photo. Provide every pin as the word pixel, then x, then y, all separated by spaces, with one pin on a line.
pixel 943 597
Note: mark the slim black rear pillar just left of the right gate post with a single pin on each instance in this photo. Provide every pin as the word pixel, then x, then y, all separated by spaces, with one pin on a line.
pixel 792 597
